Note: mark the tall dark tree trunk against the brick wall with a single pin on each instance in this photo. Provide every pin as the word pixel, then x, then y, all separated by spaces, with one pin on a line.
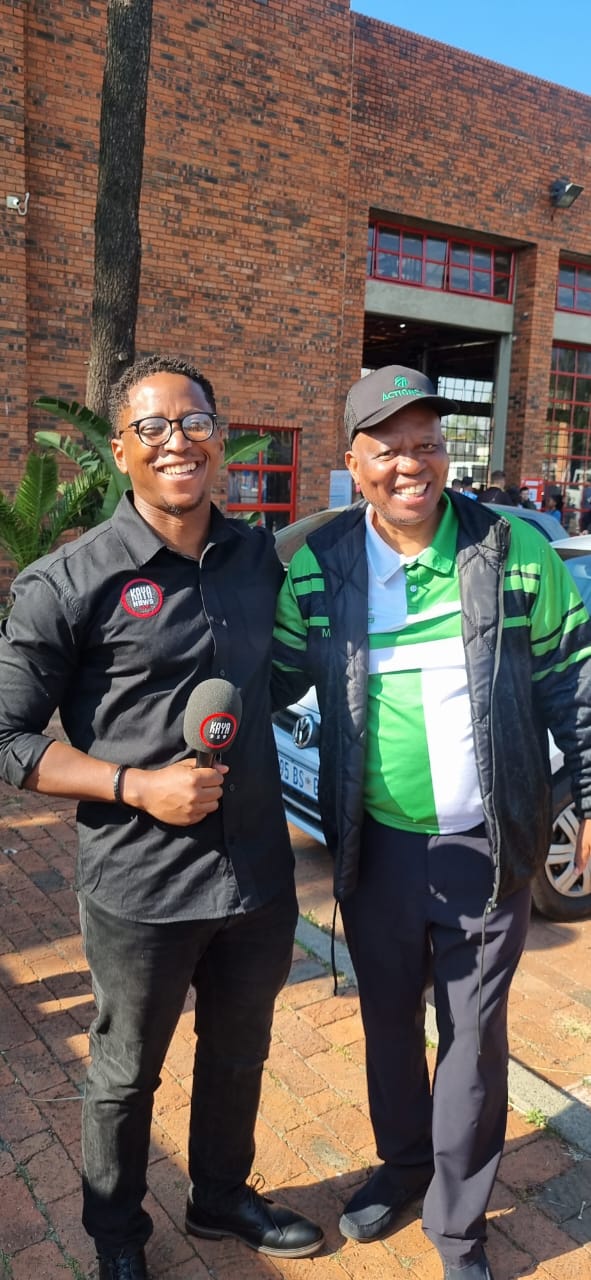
pixel 117 220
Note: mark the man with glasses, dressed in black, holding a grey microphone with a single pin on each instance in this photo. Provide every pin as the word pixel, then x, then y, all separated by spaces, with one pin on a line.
pixel 185 875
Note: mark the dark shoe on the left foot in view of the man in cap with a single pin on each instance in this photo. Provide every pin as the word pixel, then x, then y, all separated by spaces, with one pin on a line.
pixel 374 1209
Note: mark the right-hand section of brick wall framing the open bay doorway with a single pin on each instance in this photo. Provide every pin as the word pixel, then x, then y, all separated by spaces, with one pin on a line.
pixel 446 138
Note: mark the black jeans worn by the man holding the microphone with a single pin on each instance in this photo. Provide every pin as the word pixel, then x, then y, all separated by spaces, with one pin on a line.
pixel 141 975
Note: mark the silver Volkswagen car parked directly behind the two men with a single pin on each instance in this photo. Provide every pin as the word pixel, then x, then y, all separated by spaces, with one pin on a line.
pixel 560 892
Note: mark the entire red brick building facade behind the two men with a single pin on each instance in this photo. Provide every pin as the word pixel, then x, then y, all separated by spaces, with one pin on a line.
pixel 274 127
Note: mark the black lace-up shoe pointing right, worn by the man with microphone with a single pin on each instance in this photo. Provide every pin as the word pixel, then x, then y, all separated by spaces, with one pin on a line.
pixel 259 1223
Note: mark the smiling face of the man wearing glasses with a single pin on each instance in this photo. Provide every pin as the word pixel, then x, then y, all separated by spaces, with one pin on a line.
pixel 172 482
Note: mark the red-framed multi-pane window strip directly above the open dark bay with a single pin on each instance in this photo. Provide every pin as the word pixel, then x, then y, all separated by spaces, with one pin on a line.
pixel 420 258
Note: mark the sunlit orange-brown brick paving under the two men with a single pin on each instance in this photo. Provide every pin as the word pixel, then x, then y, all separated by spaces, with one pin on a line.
pixel 314 1140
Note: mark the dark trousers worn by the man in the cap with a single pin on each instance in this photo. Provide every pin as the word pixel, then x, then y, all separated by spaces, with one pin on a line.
pixel 416 918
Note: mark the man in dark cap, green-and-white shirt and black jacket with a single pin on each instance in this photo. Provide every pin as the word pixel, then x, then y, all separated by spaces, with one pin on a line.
pixel 425 620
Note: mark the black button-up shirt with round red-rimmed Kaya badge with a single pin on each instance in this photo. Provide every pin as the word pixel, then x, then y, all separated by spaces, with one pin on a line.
pixel 116 630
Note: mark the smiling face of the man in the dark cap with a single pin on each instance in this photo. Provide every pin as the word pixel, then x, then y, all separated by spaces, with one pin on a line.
pixel 401 468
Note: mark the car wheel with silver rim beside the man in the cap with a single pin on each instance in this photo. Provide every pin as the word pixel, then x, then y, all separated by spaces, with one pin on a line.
pixel 560 892
